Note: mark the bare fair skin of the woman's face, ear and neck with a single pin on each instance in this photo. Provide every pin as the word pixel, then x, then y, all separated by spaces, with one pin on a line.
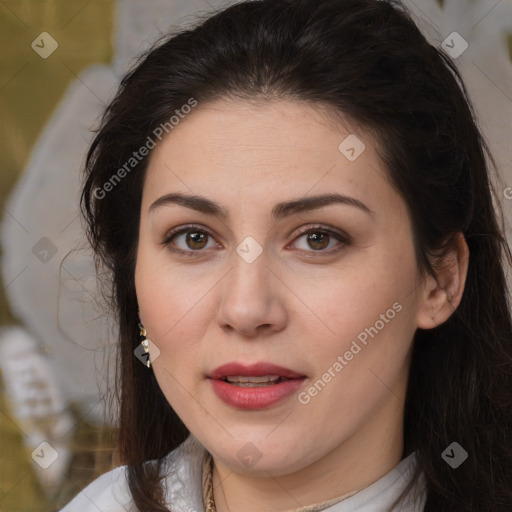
pixel 296 305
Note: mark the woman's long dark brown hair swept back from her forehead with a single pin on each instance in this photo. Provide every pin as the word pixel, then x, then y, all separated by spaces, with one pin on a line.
pixel 366 60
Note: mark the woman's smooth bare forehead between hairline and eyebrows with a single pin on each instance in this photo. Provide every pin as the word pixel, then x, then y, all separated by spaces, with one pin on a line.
pixel 241 149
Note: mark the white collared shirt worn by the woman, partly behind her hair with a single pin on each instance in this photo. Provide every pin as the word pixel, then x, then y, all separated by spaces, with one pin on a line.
pixel 183 487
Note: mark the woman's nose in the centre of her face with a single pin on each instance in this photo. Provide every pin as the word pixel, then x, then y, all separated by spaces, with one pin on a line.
pixel 252 299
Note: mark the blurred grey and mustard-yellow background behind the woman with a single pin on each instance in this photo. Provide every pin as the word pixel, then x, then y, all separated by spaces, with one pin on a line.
pixel 60 63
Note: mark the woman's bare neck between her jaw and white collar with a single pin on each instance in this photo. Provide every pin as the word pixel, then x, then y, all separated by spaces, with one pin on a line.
pixel 354 464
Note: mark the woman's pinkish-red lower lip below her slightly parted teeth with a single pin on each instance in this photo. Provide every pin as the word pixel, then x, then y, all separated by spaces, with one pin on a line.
pixel 255 397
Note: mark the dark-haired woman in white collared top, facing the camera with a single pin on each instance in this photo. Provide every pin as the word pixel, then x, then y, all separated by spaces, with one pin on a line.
pixel 294 204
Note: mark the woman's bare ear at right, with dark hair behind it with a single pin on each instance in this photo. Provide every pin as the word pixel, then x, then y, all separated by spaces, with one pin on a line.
pixel 442 293
